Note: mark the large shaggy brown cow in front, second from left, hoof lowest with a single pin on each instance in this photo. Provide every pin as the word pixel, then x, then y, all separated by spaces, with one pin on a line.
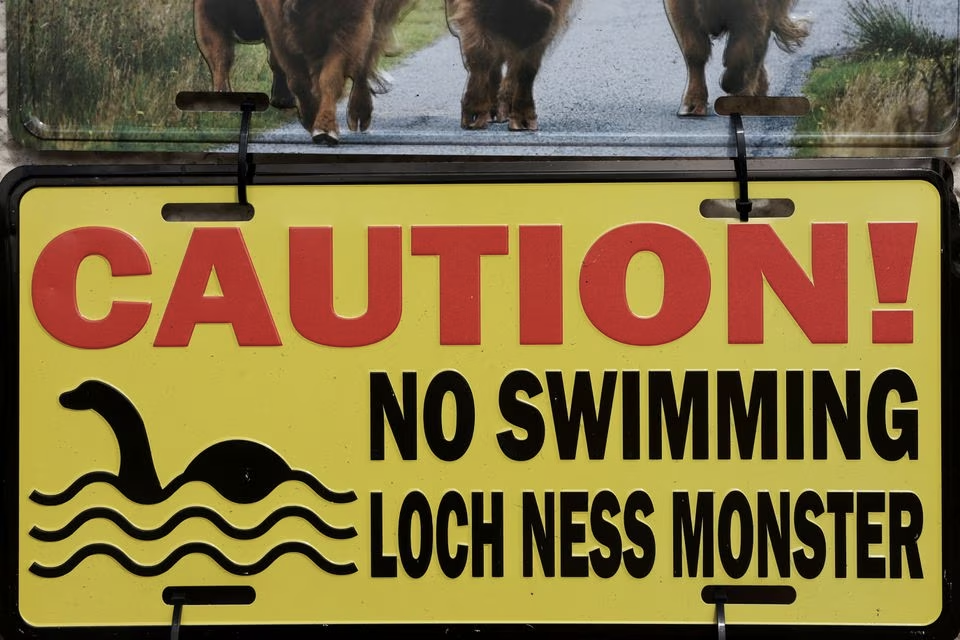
pixel 319 44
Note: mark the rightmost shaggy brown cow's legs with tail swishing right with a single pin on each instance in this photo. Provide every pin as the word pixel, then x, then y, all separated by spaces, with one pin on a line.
pixel 748 25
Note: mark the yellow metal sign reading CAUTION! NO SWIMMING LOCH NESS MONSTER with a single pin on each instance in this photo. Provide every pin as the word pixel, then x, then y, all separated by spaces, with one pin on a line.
pixel 500 403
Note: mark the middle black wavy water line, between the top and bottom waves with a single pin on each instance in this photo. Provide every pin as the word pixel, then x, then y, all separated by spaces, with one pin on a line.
pixel 178 518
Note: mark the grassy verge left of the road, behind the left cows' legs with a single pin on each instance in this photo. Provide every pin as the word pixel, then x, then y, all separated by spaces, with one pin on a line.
pixel 99 71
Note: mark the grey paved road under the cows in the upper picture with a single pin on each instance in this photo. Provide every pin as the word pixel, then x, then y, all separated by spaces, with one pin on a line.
pixel 611 86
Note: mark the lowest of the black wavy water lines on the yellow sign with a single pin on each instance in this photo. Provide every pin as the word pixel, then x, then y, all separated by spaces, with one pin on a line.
pixel 228 565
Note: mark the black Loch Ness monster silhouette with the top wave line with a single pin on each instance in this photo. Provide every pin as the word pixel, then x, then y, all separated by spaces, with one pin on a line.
pixel 242 471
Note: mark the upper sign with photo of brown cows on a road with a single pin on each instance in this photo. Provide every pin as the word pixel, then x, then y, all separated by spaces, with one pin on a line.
pixel 491 77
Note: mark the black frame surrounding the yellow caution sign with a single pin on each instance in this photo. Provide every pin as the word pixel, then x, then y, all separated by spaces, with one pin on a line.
pixel 296 171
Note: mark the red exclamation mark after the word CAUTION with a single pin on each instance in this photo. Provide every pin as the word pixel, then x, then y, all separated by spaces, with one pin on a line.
pixel 893 245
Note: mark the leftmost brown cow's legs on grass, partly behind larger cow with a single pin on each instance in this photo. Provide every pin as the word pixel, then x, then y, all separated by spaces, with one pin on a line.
pixel 219 25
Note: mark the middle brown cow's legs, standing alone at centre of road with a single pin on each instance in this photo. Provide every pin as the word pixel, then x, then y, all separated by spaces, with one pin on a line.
pixel 503 43
